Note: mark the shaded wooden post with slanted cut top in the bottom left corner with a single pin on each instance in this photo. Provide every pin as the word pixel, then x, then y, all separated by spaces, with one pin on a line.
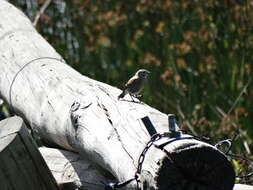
pixel 22 166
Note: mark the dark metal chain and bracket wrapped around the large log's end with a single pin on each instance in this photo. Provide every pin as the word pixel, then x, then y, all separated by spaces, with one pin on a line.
pixel 174 134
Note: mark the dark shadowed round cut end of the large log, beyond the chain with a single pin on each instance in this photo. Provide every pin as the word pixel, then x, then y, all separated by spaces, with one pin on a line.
pixel 191 164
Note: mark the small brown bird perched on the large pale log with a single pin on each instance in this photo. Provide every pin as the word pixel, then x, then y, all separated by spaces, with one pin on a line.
pixel 135 84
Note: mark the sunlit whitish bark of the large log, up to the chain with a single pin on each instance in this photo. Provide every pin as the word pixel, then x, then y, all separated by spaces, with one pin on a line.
pixel 41 88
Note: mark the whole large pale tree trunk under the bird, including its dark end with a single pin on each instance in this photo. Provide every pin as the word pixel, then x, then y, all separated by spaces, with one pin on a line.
pixel 84 115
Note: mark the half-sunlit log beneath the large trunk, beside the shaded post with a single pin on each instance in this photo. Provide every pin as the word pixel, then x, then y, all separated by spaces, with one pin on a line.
pixel 71 171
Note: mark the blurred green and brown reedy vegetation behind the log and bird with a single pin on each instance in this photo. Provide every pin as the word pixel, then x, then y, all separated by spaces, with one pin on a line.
pixel 200 54
